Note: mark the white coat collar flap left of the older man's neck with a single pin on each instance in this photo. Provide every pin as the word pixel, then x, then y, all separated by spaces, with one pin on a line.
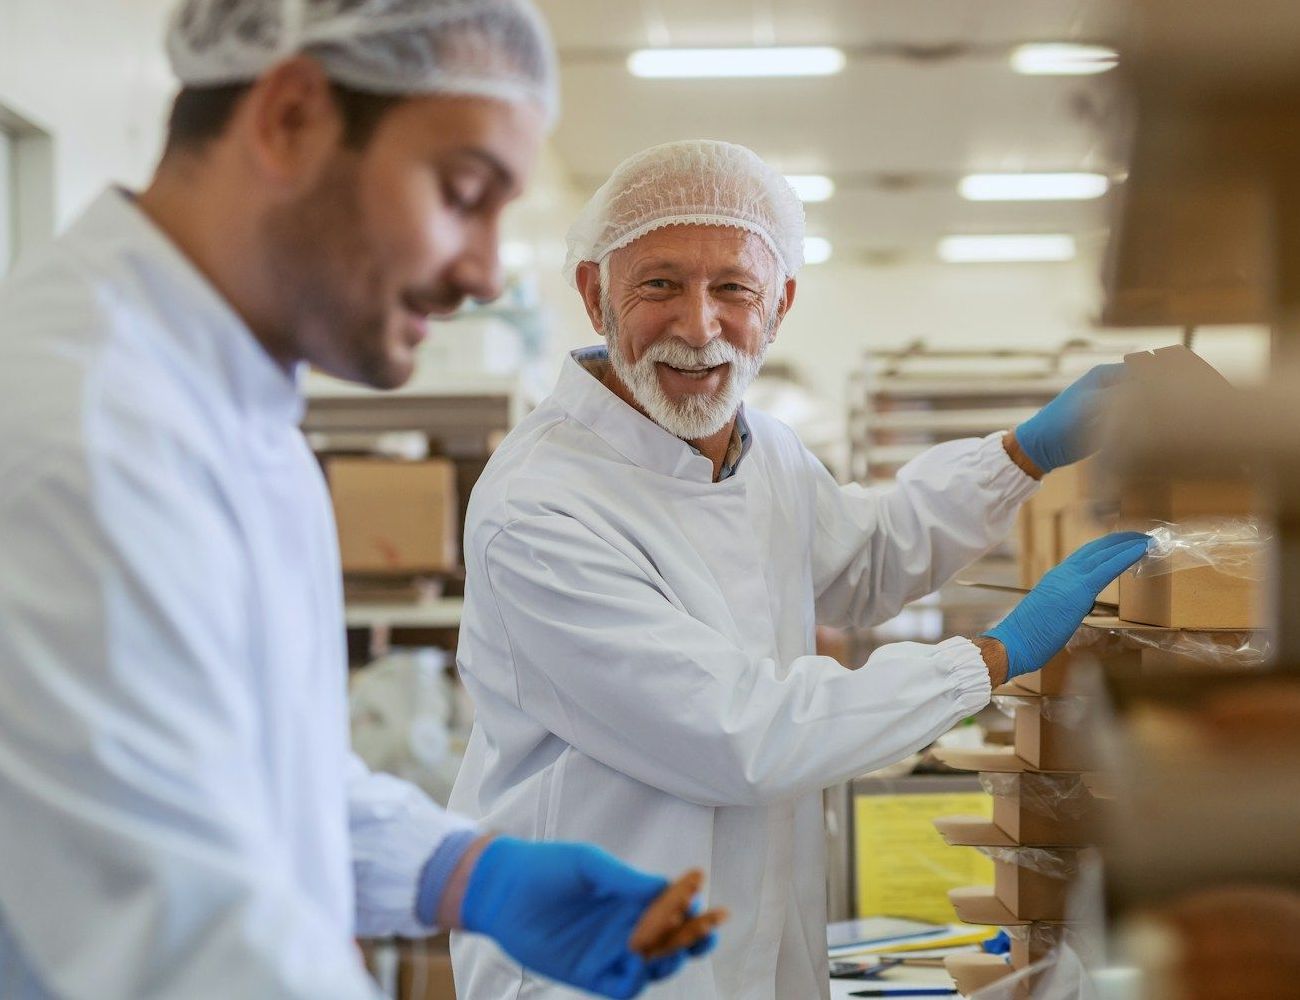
pixel 627 431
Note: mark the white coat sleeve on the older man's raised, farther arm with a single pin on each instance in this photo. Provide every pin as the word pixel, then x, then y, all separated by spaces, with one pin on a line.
pixel 876 549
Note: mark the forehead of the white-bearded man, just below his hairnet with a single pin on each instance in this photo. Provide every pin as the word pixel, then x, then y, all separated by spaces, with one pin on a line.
pixel 684 250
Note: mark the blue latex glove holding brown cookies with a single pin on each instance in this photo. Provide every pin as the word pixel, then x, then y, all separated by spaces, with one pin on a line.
pixel 567 911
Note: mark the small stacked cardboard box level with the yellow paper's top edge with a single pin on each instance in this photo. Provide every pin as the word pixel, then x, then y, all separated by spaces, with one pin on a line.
pixel 1047 811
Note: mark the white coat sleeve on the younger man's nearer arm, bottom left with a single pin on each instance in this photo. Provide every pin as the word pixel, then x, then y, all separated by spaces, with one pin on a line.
pixel 138 836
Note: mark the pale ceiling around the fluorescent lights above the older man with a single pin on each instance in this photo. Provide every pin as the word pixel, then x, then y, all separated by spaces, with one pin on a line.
pixel 926 98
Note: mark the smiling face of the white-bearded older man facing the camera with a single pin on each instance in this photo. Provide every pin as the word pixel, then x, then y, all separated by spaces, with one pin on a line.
pixel 688 313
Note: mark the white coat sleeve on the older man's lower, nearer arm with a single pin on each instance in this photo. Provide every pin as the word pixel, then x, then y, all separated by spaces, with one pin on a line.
pixel 613 666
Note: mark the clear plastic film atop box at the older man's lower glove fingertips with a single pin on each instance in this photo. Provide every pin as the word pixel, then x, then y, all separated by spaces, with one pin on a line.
pixel 1234 547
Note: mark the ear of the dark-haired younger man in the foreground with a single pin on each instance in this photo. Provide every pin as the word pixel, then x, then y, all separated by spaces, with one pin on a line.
pixel 291 124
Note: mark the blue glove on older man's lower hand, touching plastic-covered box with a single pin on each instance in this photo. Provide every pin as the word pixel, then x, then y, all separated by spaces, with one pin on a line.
pixel 1039 627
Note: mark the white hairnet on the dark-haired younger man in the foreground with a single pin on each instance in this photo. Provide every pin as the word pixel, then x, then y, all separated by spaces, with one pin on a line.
pixel 495 49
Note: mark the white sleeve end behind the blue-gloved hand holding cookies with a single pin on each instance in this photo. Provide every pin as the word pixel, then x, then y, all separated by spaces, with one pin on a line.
pixel 396 829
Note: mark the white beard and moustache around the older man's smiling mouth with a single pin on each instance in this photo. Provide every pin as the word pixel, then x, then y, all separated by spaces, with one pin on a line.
pixel 699 415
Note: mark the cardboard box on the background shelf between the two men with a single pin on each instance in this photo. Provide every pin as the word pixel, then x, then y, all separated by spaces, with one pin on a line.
pixel 395 517
